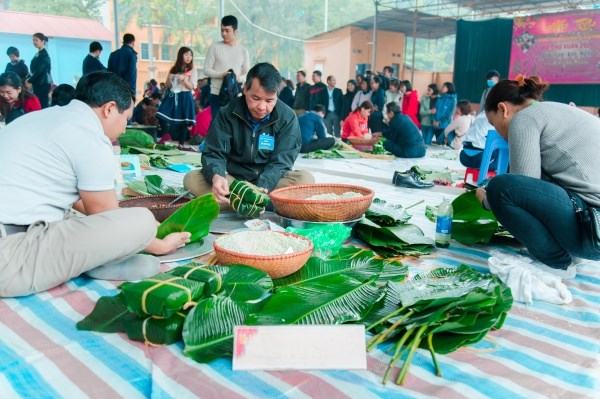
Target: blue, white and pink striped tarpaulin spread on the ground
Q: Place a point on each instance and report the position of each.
(542, 351)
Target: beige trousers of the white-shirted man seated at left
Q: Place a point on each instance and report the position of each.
(49, 254)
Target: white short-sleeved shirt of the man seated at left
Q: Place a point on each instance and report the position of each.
(46, 157)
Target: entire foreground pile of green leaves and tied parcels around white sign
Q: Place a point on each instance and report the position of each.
(200, 305)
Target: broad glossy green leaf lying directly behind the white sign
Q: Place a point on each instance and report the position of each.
(330, 300)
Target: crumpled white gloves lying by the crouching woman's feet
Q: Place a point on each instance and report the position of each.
(529, 279)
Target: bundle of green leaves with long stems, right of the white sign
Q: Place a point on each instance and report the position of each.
(440, 311)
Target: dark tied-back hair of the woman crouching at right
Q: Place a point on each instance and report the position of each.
(515, 91)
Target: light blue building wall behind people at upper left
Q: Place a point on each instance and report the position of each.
(66, 54)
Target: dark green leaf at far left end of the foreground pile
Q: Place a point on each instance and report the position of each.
(108, 315)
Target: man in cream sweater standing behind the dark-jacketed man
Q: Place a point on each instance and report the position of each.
(223, 56)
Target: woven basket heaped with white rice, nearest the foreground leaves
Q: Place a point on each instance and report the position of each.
(276, 266)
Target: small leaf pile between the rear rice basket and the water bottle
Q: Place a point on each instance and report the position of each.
(386, 230)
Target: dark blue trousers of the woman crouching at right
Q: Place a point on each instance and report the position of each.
(540, 215)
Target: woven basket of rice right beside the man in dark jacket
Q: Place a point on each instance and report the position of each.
(291, 202)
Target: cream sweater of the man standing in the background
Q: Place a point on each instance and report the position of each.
(221, 58)
